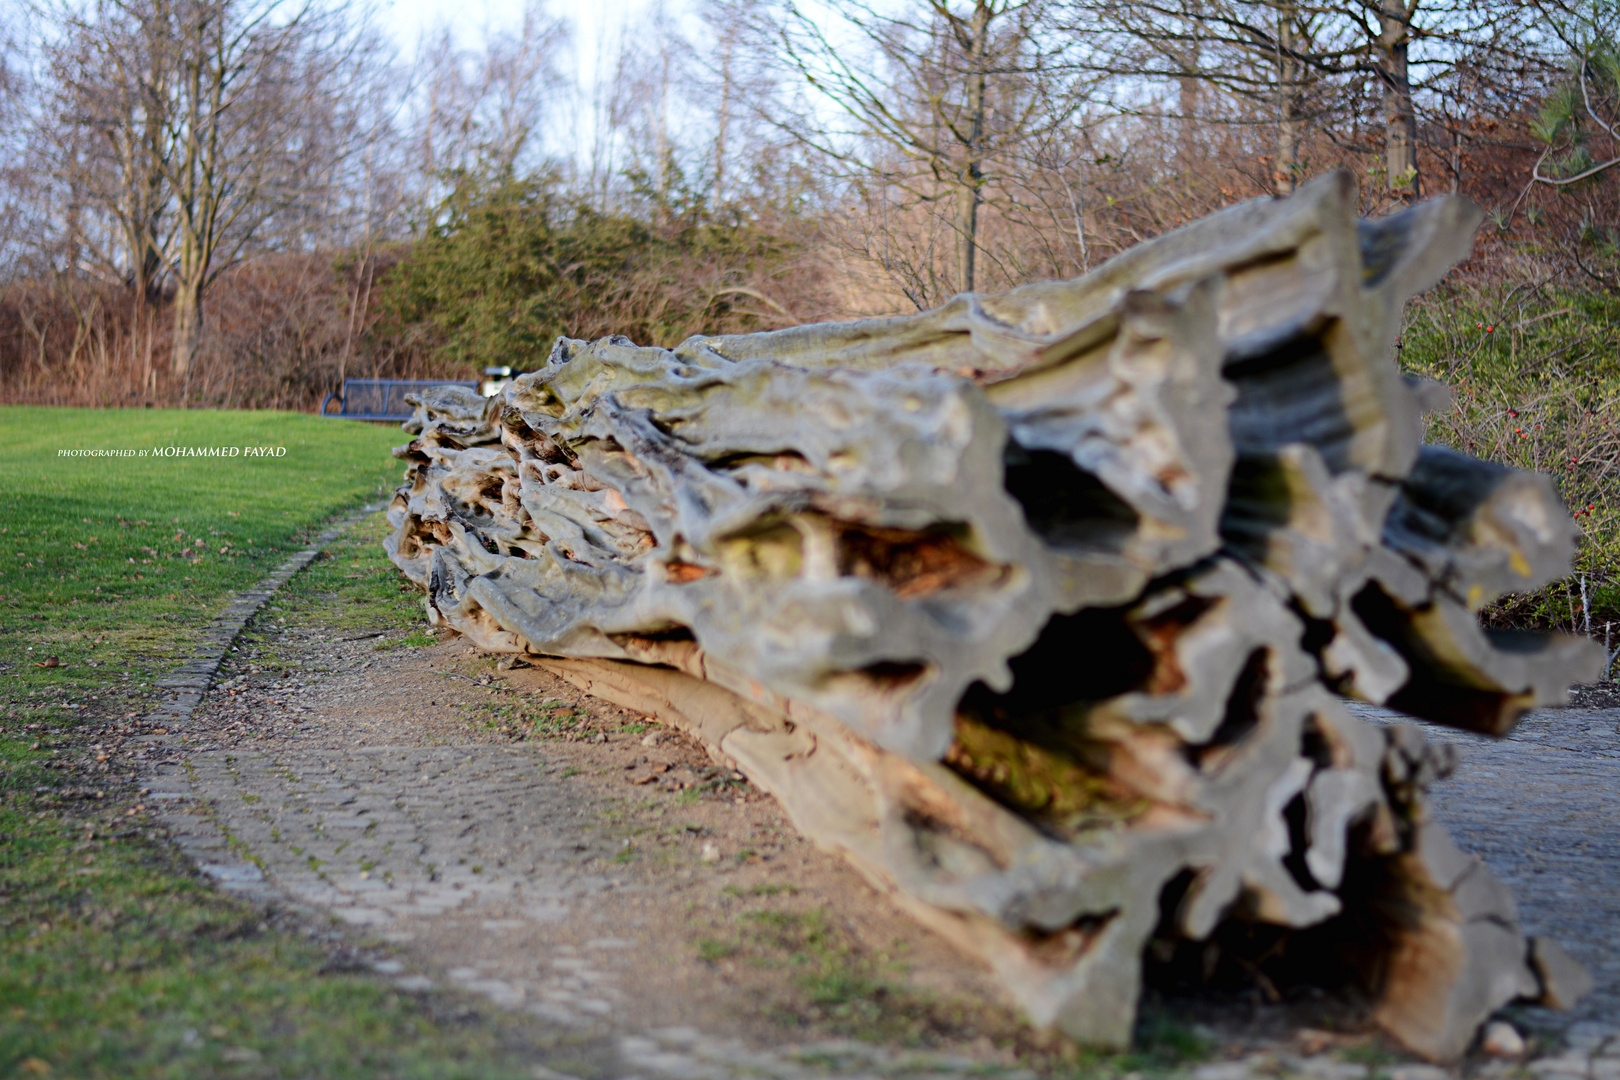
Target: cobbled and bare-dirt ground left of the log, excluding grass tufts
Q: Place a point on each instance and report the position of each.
(529, 874)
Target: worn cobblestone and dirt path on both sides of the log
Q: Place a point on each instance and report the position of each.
(497, 833)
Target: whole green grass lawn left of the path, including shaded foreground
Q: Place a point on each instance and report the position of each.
(114, 959)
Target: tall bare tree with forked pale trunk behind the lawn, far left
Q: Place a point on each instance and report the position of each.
(198, 127)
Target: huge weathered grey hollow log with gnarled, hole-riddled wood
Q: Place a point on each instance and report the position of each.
(1036, 606)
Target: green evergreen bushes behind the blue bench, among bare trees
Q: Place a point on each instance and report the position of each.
(509, 266)
